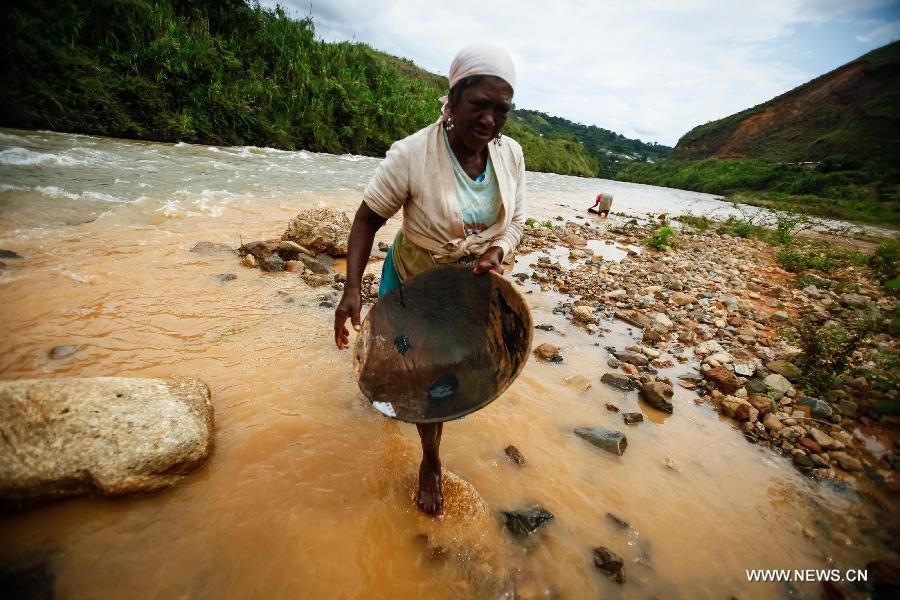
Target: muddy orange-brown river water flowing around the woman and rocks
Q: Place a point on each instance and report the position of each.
(308, 492)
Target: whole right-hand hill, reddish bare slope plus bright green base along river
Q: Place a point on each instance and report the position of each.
(830, 147)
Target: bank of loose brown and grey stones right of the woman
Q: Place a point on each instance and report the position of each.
(723, 305)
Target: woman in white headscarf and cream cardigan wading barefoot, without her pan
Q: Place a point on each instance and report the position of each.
(462, 189)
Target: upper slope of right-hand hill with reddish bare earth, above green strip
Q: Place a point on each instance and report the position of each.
(852, 111)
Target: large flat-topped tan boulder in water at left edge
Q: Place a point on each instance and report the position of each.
(113, 435)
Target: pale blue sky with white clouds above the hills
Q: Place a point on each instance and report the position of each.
(648, 69)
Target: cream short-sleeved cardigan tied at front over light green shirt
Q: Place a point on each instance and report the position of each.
(417, 175)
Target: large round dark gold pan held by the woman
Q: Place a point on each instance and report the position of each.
(447, 343)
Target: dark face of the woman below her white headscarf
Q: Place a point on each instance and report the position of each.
(480, 113)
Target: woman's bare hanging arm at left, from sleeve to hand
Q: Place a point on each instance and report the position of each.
(362, 234)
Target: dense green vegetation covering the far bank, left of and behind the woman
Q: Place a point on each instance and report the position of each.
(233, 73)
